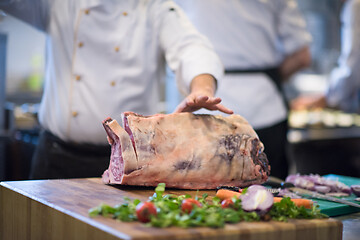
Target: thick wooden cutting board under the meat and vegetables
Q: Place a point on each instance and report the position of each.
(58, 209)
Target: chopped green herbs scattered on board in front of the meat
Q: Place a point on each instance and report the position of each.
(210, 214)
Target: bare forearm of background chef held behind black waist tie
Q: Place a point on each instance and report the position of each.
(294, 62)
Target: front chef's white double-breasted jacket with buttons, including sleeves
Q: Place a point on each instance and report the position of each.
(105, 57)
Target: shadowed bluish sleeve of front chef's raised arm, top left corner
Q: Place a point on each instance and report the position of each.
(34, 12)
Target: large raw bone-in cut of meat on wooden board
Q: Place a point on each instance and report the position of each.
(184, 150)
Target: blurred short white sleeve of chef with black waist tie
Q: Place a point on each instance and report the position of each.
(291, 26)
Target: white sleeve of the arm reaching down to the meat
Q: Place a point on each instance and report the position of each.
(187, 52)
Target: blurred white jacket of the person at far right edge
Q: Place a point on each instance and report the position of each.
(344, 84)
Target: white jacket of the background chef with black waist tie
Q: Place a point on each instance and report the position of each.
(250, 34)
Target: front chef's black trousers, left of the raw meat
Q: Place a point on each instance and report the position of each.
(54, 158)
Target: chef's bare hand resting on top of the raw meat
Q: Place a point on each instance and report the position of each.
(202, 96)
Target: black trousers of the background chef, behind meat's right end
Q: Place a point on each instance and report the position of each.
(275, 141)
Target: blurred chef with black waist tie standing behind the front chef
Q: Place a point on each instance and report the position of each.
(261, 44)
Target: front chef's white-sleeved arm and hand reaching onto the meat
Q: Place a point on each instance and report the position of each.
(192, 57)
